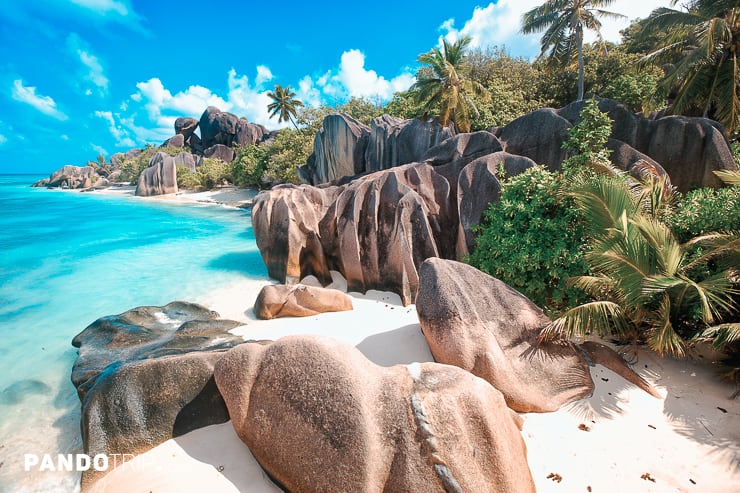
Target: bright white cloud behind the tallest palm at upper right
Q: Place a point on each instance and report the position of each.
(499, 24)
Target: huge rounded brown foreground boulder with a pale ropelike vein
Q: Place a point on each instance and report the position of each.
(320, 417)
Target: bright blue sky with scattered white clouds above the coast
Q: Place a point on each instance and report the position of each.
(80, 78)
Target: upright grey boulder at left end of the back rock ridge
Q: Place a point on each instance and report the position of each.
(339, 149)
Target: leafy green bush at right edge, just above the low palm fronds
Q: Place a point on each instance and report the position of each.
(707, 210)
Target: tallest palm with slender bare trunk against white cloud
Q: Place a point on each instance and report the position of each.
(564, 22)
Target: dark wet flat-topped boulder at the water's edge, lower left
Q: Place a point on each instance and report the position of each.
(146, 375)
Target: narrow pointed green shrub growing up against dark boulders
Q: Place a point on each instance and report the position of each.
(588, 138)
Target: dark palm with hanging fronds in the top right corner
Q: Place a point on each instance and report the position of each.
(705, 39)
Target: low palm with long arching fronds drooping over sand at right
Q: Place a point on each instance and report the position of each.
(644, 281)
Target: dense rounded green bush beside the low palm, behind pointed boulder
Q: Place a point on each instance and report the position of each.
(532, 239)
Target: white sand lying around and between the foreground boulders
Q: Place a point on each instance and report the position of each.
(619, 440)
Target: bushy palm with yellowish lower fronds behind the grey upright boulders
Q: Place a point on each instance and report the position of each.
(444, 86)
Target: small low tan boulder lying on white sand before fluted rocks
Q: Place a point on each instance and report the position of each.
(280, 300)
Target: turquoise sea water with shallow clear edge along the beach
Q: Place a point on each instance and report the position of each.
(67, 258)
